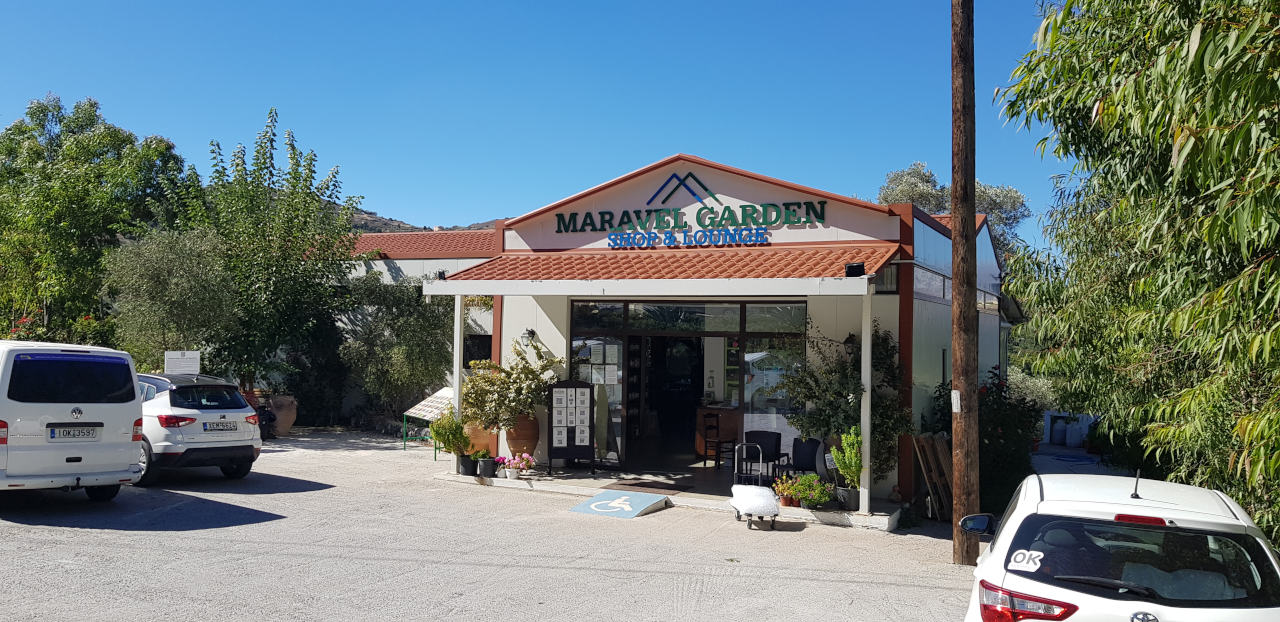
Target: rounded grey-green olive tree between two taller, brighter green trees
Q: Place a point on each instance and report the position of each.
(171, 291)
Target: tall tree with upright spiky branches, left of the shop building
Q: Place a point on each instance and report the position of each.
(287, 243)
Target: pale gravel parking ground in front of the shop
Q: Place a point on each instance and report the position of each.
(342, 527)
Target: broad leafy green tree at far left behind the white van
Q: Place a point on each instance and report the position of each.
(71, 187)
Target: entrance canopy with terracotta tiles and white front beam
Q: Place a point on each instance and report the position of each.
(806, 271)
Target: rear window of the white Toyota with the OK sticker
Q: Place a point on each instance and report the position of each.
(1176, 566)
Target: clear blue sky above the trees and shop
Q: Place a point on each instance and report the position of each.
(452, 113)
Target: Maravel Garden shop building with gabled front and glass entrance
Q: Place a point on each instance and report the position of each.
(688, 287)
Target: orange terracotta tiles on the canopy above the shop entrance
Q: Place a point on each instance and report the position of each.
(756, 263)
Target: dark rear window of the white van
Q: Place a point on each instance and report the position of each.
(70, 378)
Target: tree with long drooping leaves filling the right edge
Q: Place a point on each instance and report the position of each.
(1156, 305)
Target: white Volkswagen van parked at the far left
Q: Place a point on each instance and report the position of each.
(70, 418)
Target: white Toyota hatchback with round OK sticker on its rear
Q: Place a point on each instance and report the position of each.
(1092, 548)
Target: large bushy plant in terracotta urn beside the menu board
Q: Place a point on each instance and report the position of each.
(508, 399)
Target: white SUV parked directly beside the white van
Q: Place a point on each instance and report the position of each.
(194, 422)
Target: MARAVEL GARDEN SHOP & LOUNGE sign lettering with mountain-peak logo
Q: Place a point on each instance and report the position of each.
(717, 226)
